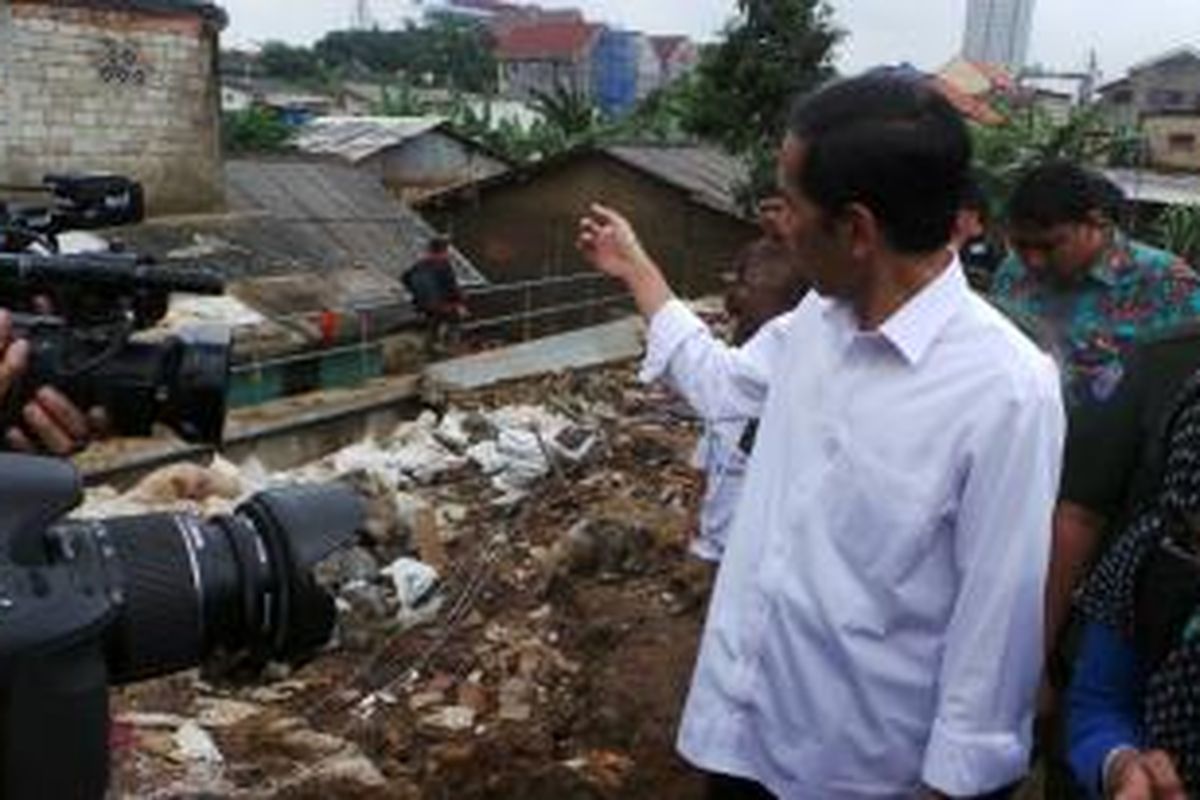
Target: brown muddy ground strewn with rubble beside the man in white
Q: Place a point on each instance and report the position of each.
(556, 667)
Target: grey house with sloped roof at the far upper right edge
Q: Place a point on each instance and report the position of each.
(1169, 83)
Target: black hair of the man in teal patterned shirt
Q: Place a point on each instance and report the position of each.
(1060, 193)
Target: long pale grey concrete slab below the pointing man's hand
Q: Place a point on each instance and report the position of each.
(591, 347)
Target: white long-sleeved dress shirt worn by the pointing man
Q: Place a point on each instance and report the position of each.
(877, 623)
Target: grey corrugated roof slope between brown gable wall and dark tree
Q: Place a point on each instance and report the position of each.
(711, 176)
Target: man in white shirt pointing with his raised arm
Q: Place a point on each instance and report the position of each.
(877, 625)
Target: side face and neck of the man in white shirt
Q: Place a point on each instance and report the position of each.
(820, 244)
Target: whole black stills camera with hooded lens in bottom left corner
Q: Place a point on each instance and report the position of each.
(91, 604)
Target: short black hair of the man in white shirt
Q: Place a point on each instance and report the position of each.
(890, 141)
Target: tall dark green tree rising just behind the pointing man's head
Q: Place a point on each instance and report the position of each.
(772, 52)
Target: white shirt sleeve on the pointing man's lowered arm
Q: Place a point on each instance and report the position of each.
(993, 658)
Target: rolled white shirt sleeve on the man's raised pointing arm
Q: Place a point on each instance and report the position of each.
(719, 382)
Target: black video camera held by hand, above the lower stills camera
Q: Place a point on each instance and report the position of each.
(81, 312)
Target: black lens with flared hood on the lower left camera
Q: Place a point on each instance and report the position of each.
(239, 585)
